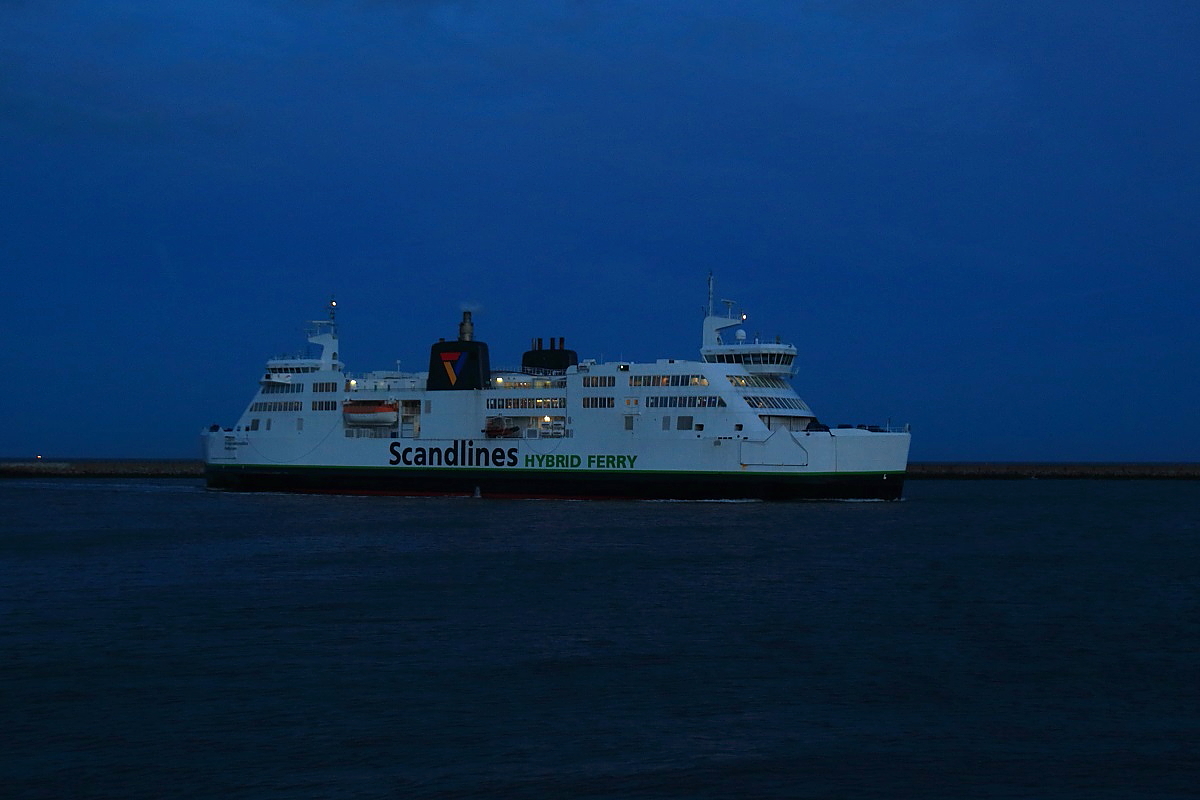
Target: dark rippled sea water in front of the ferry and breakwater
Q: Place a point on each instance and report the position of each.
(979, 640)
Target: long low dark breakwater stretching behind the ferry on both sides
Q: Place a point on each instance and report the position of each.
(919, 471)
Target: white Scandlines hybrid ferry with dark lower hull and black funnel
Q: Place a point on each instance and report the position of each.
(729, 426)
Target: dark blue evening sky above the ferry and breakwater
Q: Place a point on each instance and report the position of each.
(980, 219)
